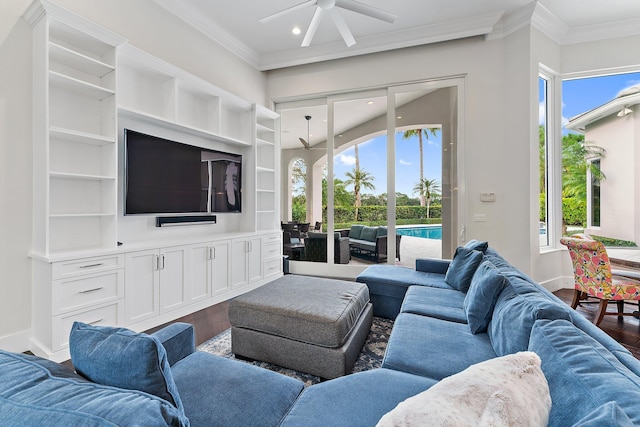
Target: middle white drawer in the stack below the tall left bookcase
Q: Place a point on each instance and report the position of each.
(81, 292)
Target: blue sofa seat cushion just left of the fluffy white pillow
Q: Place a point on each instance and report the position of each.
(358, 399)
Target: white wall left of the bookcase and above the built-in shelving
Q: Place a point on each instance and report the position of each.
(147, 26)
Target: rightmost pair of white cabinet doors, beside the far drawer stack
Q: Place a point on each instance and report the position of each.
(246, 261)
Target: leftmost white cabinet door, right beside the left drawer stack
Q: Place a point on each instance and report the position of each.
(142, 285)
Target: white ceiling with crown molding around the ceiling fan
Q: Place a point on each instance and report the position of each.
(235, 25)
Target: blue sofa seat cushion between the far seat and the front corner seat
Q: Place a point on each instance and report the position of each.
(417, 345)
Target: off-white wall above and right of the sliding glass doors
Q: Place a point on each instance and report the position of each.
(496, 155)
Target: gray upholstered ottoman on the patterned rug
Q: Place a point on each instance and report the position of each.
(309, 324)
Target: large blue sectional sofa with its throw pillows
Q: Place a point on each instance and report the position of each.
(453, 316)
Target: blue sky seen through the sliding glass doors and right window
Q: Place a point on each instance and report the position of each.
(578, 96)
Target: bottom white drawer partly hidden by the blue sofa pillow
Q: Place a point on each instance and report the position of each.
(108, 315)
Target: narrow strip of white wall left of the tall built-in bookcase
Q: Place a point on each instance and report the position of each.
(15, 186)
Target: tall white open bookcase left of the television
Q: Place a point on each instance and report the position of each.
(75, 153)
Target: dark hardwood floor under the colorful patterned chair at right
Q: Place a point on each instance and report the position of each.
(625, 330)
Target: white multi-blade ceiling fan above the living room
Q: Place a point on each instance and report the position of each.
(329, 7)
